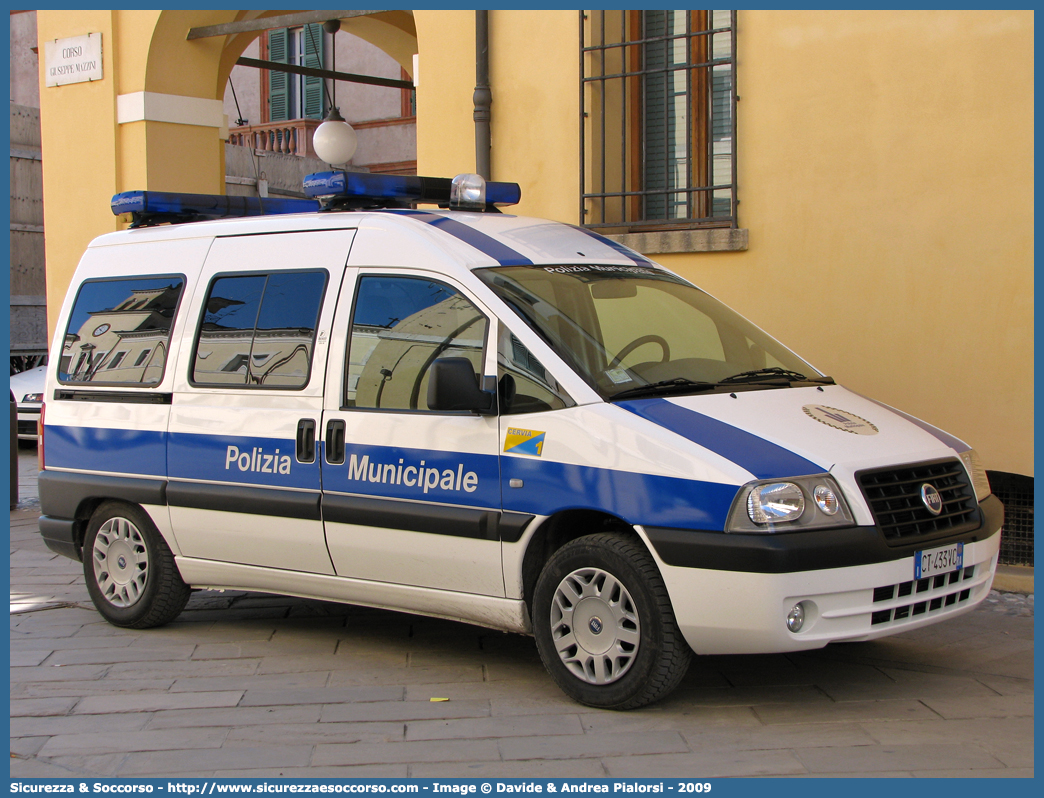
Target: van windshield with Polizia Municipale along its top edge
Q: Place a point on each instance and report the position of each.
(632, 332)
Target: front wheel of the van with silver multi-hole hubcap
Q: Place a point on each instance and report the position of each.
(604, 624)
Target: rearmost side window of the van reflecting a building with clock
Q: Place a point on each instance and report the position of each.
(120, 332)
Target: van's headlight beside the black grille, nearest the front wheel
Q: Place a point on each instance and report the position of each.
(793, 505)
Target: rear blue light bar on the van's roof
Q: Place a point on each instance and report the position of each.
(165, 206)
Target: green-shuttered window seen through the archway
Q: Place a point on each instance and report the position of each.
(296, 97)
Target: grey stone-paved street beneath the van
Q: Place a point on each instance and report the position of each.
(250, 685)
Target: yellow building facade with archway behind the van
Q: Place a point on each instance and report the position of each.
(885, 176)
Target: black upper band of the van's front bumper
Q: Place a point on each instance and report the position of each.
(789, 553)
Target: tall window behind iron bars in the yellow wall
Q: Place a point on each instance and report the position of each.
(658, 122)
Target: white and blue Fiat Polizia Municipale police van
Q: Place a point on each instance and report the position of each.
(457, 412)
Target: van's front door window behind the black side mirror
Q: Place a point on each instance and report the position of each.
(400, 327)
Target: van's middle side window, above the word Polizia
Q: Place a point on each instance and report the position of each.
(258, 331)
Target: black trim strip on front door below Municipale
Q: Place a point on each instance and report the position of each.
(390, 514)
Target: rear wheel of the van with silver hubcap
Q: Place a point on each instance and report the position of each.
(130, 571)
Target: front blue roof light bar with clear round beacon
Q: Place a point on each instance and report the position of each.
(364, 189)
